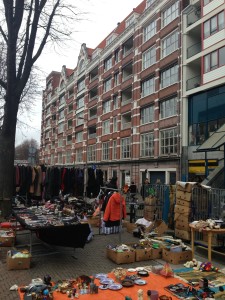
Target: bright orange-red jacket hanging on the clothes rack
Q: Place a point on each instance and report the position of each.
(112, 211)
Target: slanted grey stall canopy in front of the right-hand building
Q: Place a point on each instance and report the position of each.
(213, 143)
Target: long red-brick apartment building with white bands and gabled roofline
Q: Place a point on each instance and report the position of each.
(120, 109)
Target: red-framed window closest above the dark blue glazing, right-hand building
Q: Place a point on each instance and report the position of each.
(214, 60)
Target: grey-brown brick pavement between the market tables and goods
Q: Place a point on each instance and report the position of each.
(67, 264)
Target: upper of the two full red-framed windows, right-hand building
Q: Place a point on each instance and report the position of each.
(214, 25)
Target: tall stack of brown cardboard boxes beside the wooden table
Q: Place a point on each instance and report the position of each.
(182, 210)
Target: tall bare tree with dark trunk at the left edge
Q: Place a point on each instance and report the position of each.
(25, 28)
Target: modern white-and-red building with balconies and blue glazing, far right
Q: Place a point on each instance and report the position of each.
(203, 84)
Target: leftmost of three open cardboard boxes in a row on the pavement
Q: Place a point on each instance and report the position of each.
(125, 257)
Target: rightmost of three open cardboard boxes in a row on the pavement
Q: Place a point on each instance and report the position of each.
(176, 257)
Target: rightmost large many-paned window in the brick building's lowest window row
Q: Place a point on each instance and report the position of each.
(168, 141)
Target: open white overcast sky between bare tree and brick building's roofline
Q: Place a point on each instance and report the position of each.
(102, 17)
